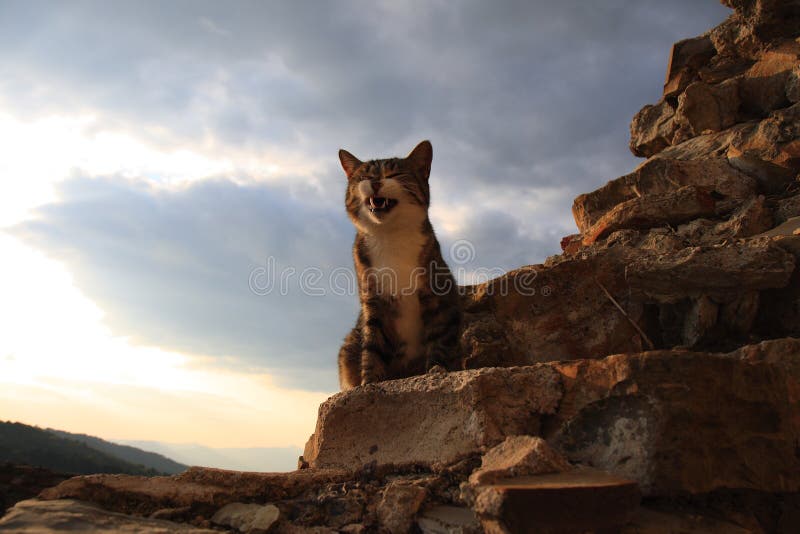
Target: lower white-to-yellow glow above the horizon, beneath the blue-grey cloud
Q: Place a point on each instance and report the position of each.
(61, 367)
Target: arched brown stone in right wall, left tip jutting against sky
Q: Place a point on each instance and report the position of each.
(659, 176)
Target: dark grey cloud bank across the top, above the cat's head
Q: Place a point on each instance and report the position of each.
(498, 86)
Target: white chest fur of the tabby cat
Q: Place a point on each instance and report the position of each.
(395, 260)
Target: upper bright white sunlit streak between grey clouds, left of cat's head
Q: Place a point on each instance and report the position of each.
(39, 154)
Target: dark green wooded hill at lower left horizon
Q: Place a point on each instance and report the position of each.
(29, 445)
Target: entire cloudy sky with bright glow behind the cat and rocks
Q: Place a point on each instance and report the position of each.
(174, 247)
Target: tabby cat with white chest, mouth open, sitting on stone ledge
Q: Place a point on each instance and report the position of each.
(410, 320)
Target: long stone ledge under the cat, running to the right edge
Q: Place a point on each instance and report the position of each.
(674, 421)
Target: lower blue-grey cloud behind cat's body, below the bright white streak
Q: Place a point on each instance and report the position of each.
(256, 273)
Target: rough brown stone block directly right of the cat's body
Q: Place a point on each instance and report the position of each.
(533, 313)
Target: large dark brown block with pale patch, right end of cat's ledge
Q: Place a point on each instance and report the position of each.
(686, 422)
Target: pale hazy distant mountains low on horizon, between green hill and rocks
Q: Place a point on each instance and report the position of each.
(262, 459)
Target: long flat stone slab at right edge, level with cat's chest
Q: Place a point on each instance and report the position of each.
(694, 271)
